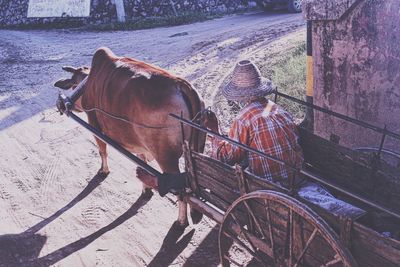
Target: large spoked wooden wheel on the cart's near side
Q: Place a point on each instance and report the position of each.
(267, 228)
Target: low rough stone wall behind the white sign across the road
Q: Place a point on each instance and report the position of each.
(14, 12)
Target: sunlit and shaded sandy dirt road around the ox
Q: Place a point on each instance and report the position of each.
(54, 210)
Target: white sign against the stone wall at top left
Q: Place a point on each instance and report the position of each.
(58, 8)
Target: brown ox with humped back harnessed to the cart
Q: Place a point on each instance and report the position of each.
(129, 101)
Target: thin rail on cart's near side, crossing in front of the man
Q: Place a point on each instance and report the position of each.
(249, 149)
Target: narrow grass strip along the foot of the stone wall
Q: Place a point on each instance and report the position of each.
(153, 22)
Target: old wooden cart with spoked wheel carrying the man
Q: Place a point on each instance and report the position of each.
(264, 223)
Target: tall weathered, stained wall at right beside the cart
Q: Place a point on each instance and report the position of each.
(356, 52)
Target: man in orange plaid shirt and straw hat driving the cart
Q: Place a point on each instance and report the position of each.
(261, 125)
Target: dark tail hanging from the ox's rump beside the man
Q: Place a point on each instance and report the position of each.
(196, 105)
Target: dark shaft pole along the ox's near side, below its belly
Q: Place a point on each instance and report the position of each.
(114, 144)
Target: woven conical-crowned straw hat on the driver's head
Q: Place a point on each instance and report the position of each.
(246, 83)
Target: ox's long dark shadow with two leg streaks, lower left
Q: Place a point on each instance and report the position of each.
(24, 249)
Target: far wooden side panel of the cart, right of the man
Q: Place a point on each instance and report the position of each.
(351, 170)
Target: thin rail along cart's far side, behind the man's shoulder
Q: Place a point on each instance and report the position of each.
(341, 116)
